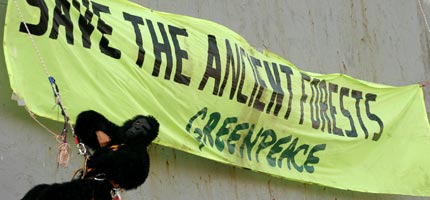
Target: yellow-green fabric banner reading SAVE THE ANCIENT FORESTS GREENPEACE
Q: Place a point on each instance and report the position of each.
(216, 96)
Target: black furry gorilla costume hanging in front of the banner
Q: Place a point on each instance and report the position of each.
(124, 162)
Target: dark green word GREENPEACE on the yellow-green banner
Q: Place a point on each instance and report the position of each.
(241, 138)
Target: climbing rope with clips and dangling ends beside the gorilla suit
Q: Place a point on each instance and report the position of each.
(64, 147)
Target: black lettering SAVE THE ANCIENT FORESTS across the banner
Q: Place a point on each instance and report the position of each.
(260, 84)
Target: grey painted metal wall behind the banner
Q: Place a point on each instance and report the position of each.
(374, 40)
